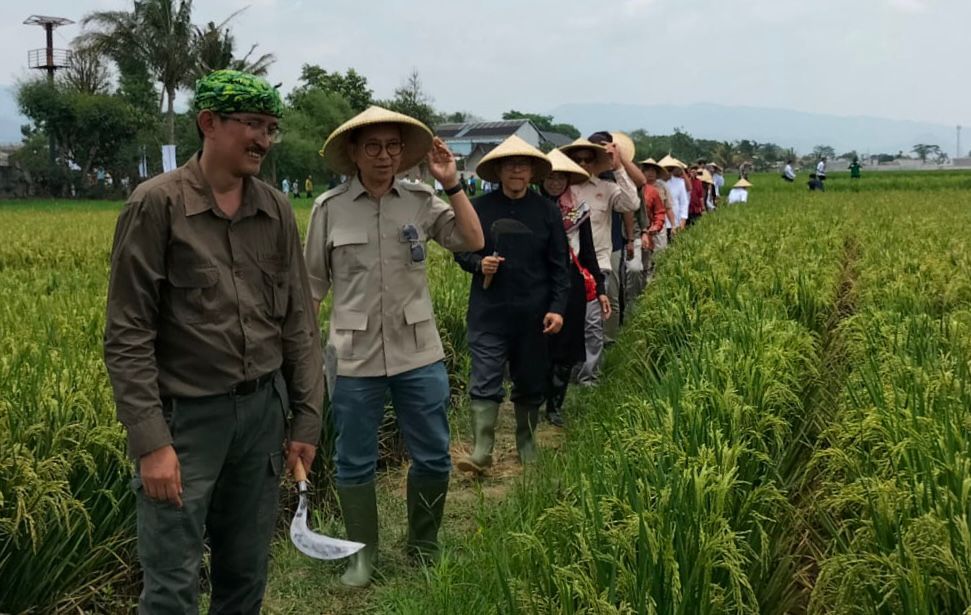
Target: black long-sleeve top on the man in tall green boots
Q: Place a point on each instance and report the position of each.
(534, 278)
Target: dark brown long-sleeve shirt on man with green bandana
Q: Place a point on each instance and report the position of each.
(198, 303)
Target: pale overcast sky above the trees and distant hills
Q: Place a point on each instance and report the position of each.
(901, 59)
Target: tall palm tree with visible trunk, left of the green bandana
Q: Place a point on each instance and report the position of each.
(160, 32)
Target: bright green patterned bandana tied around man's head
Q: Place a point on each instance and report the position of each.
(232, 91)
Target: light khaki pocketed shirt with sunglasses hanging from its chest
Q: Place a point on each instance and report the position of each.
(381, 320)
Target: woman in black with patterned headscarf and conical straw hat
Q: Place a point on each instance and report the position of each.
(587, 297)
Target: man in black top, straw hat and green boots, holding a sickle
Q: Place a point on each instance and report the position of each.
(518, 296)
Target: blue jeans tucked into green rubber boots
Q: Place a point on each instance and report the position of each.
(420, 399)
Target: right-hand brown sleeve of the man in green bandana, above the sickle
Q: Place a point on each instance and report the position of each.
(303, 367)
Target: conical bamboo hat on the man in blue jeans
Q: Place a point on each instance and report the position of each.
(417, 139)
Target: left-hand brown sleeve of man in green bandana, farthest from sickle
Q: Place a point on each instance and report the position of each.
(137, 270)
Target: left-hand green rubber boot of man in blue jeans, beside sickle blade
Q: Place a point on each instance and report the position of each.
(359, 507)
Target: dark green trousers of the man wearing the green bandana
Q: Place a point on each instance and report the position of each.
(230, 450)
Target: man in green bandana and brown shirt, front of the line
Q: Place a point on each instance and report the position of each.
(213, 353)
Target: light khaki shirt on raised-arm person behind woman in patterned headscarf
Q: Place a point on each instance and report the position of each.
(605, 197)
